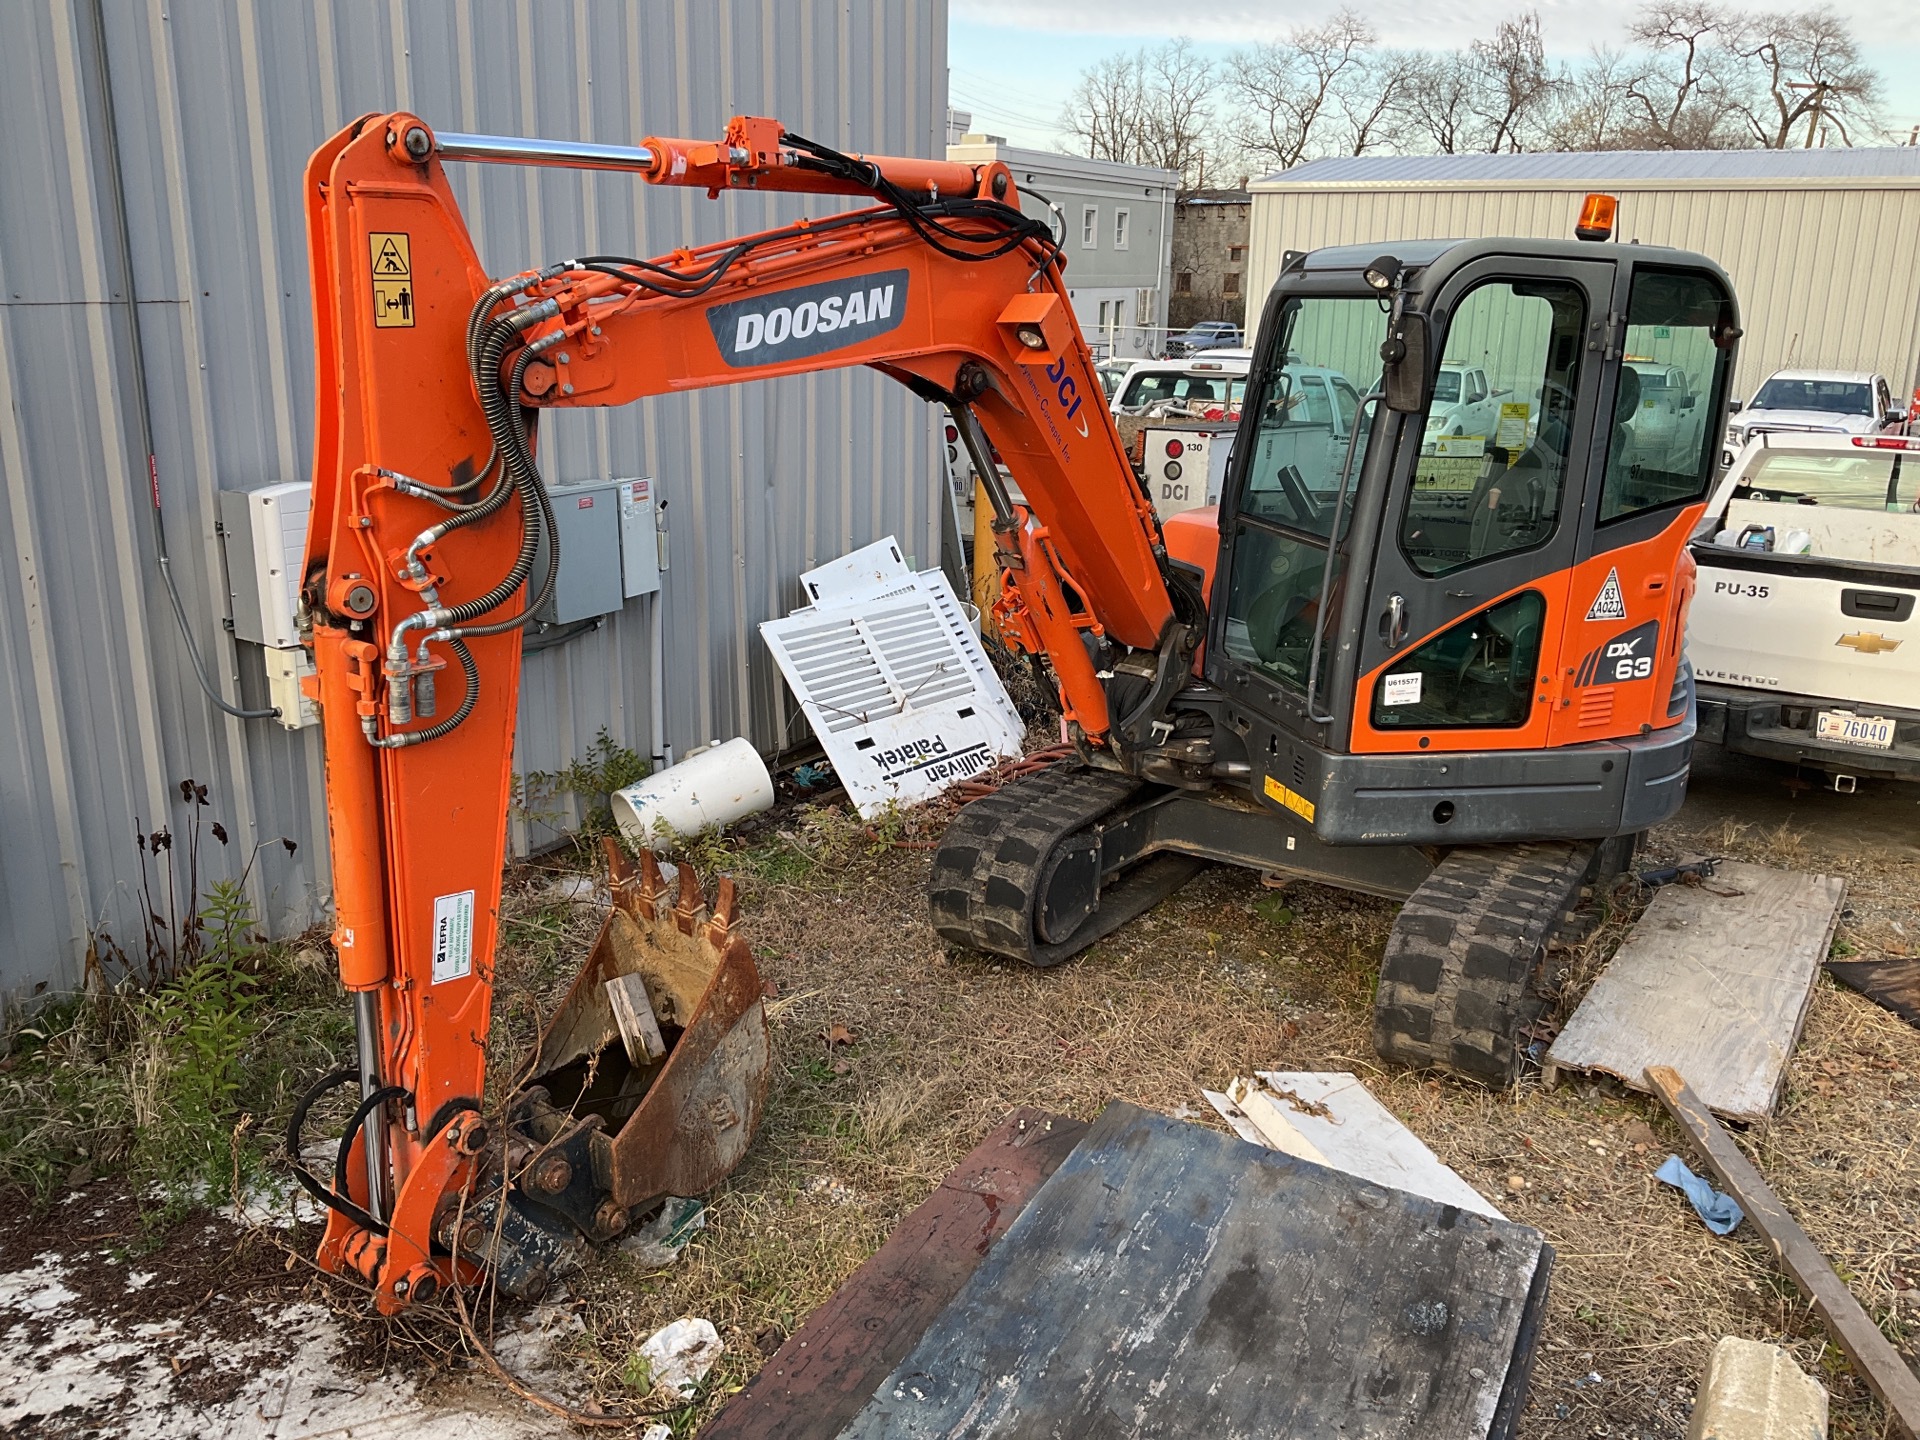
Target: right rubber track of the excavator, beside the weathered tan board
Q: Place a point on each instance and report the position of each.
(1458, 982)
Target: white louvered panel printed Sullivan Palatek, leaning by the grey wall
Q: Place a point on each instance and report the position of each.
(898, 688)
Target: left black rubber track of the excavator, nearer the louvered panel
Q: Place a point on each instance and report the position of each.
(992, 859)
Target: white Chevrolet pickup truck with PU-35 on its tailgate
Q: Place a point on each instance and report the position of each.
(1802, 635)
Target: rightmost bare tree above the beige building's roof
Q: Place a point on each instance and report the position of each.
(1802, 66)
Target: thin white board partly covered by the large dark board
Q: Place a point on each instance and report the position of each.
(1351, 1130)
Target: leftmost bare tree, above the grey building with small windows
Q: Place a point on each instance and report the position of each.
(1147, 108)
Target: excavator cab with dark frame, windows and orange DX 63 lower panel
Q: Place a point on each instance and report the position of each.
(1456, 617)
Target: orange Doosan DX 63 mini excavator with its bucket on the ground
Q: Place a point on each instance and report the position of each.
(1428, 646)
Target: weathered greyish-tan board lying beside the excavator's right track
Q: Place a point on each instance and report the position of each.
(1716, 978)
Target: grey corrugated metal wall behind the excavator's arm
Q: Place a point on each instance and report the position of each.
(218, 108)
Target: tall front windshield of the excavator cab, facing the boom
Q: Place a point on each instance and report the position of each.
(1303, 425)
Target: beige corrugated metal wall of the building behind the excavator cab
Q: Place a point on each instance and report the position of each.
(1829, 276)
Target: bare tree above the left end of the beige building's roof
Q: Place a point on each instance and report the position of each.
(1285, 91)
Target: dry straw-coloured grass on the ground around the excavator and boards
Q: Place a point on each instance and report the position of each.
(1218, 982)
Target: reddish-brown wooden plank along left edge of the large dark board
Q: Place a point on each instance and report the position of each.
(827, 1370)
